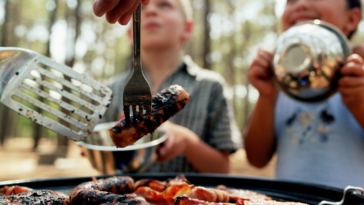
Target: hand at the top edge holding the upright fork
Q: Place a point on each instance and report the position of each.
(117, 10)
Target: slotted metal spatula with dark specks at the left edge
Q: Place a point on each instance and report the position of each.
(71, 104)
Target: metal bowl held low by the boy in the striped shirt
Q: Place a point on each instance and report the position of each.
(108, 159)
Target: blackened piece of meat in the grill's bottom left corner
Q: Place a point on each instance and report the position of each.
(35, 197)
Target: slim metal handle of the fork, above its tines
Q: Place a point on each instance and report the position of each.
(136, 38)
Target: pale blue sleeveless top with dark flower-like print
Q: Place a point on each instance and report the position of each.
(319, 143)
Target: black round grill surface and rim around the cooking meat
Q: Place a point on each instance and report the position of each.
(278, 190)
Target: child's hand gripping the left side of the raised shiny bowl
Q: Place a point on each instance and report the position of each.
(260, 74)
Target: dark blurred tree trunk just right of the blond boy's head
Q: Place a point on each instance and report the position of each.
(207, 39)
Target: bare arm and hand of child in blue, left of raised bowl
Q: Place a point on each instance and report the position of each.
(259, 134)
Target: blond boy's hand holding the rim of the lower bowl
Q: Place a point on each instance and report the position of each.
(177, 141)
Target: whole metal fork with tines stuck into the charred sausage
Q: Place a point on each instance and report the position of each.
(137, 90)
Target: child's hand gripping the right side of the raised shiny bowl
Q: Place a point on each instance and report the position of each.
(351, 85)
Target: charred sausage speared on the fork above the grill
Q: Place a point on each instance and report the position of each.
(165, 104)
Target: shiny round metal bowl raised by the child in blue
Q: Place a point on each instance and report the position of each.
(307, 59)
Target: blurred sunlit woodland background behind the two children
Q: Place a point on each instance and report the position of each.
(226, 38)
